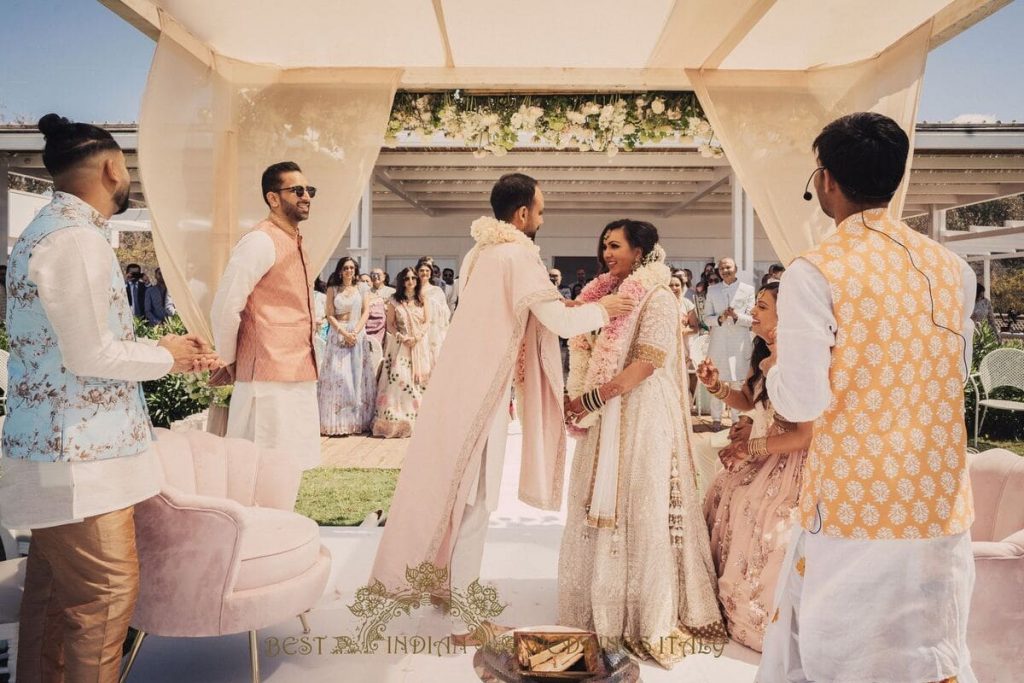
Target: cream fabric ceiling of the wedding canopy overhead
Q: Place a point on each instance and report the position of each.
(532, 46)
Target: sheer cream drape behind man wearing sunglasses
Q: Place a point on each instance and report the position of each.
(210, 125)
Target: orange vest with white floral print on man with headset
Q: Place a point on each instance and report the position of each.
(889, 455)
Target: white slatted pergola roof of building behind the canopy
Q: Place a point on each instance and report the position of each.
(954, 166)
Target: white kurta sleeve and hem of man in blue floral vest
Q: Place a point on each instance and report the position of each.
(72, 271)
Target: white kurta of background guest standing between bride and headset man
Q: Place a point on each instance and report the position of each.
(731, 344)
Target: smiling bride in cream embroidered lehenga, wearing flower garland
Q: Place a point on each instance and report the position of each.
(635, 564)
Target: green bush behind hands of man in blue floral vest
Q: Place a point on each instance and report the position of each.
(175, 398)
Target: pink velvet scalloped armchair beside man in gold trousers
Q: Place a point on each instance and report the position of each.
(221, 550)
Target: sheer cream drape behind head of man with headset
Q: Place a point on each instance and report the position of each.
(767, 120)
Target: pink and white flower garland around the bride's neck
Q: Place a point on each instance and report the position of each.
(595, 362)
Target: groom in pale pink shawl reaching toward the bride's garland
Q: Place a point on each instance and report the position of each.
(505, 334)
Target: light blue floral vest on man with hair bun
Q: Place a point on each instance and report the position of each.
(54, 415)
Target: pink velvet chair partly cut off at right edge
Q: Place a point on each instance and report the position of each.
(996, 628)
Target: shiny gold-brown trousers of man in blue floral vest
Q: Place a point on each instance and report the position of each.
(80, 589)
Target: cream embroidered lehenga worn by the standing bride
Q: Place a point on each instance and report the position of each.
(643, 581)
